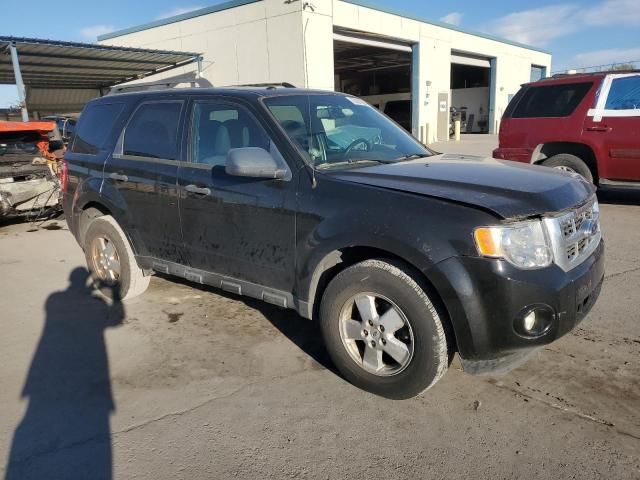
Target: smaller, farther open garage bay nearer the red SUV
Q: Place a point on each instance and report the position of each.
(471, 92)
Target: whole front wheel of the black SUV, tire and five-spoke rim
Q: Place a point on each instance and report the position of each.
(382, 330)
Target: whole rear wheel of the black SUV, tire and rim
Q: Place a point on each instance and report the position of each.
(114, 270)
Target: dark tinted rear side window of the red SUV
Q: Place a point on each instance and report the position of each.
(551, 100)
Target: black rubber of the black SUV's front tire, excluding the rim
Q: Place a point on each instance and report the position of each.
(390, 280)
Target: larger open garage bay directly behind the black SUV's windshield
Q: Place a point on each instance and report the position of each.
(378, 71)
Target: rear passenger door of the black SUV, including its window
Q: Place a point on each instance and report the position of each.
(142, 176)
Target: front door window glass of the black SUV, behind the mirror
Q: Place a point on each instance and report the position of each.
(217, 128)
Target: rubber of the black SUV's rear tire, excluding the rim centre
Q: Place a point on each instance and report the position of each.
(131, 280)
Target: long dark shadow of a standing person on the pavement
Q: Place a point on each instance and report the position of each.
(65, 432)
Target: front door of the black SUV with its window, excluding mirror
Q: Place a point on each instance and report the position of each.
(239, 227)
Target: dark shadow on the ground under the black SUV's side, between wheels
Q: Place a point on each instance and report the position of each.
(303, 333)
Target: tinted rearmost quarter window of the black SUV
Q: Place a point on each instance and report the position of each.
(94, 127)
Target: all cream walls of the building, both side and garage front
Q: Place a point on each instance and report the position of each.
(276, 41)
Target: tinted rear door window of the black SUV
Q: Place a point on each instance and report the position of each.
(153, 131)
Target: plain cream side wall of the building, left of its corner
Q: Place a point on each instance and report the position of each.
(253, 43)
